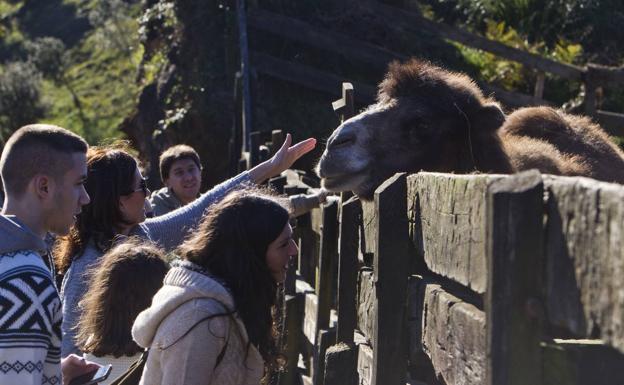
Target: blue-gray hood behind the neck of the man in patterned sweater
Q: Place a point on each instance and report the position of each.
(15, 236)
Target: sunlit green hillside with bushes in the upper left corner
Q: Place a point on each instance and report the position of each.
(87, 85)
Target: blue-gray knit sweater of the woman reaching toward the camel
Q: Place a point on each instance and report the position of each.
(167, 231)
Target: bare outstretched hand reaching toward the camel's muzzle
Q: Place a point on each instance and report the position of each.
(282, 160)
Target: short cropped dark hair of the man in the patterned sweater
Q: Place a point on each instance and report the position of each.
(35, 149)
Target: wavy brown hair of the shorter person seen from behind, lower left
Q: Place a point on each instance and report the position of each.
(121, 287)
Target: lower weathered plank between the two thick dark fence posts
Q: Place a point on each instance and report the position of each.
(451, 332)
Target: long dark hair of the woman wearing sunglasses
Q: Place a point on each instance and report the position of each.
(110, 173)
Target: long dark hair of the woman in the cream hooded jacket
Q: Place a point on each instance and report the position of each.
(231, 243)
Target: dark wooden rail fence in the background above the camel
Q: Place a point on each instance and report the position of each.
(401, 22)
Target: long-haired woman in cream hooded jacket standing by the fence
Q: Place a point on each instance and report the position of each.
(214, 321)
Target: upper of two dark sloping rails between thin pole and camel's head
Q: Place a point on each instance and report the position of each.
(300, 31)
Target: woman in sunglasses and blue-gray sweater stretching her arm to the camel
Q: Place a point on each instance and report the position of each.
(117, 209)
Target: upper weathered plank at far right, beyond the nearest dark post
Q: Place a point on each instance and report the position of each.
(585, 258)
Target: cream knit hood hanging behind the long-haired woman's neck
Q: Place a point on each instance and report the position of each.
(181, 287)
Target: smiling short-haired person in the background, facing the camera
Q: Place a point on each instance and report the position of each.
(180, 172)
